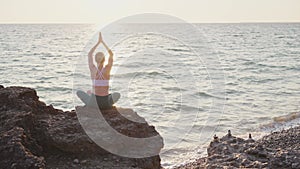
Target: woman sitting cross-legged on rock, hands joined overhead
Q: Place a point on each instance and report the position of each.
(100, 76)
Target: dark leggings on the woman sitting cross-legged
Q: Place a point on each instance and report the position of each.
(103, 102)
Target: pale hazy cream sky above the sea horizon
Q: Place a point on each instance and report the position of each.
(104, 11)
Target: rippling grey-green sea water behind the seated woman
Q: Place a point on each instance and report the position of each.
(189, 86)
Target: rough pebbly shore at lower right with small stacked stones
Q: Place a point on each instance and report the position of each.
(277, 150)
